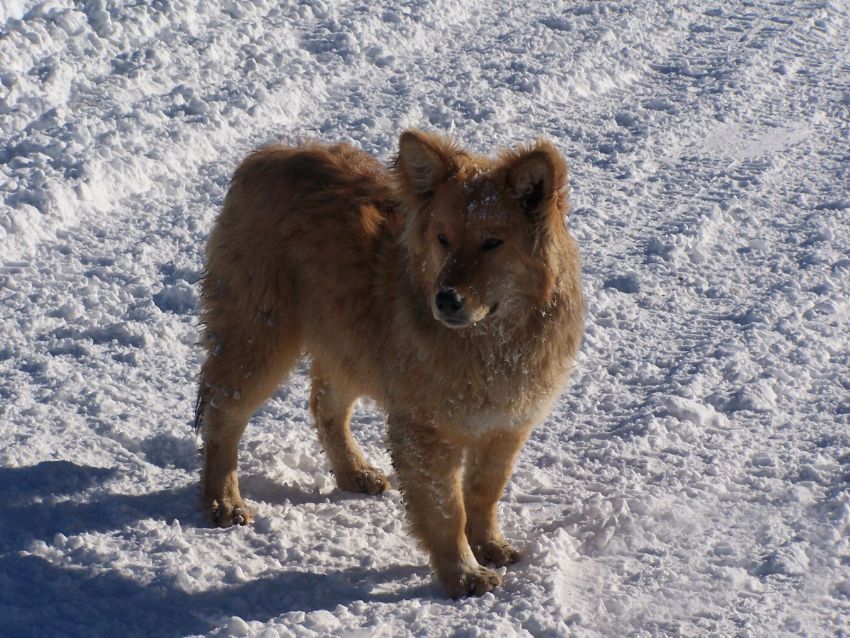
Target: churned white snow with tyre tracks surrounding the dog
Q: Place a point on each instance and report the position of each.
(694, 478)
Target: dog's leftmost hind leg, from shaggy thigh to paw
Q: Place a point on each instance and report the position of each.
(235, 380)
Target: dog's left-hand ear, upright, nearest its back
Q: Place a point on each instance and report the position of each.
(424, 161)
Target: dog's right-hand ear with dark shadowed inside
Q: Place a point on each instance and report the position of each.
(537, 177)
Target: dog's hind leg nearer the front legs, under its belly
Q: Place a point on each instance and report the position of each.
(331, 404)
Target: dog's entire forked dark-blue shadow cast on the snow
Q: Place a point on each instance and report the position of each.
(44, 598)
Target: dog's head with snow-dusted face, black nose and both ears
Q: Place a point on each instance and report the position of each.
(483, 234)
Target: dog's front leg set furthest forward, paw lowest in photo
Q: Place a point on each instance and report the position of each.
(429, 470)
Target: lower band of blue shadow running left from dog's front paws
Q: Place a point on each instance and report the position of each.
(45, 599)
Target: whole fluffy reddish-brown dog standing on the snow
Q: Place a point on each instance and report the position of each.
(446, 288)
